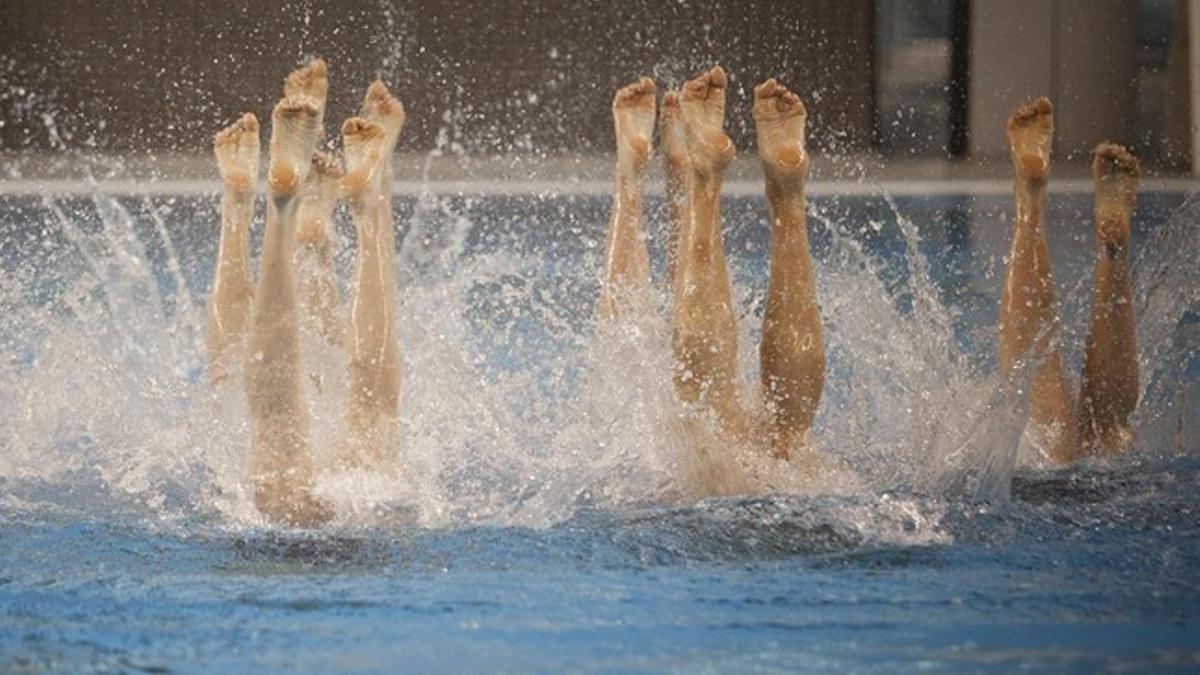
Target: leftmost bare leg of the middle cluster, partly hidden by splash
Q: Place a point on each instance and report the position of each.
(628, 262)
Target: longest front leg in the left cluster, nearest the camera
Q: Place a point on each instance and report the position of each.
(280, 461)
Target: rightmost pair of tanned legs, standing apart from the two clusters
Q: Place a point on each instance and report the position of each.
(1029, 321)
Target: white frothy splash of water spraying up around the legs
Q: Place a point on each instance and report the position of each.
(515, 410)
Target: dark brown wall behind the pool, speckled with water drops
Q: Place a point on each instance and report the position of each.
(512, 76)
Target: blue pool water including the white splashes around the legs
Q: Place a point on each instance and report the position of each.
(535, 523)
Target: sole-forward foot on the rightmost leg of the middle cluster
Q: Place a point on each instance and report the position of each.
(779, 120)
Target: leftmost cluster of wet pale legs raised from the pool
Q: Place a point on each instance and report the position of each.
(261, 325)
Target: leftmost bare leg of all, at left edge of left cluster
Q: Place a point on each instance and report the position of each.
(237, 151)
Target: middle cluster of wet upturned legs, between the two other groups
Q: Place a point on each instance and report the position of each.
(704, 324)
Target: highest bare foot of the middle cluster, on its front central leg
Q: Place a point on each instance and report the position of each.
(704, 118)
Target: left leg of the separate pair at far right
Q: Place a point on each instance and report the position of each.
(1029, 319)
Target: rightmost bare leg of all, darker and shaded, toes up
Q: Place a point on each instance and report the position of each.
(1109, 390)
